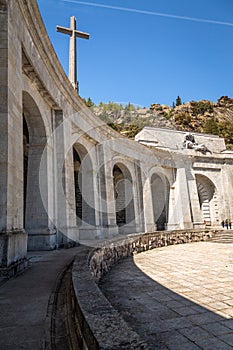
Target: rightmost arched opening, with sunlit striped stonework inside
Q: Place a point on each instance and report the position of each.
(207, 199)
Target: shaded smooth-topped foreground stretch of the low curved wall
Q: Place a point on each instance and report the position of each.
(99, 325)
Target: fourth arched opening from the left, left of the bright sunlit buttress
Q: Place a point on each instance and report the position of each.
(160, 199)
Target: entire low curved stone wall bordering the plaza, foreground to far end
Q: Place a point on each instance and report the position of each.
(98, 324)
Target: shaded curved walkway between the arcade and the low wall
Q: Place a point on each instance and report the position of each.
(24, 300)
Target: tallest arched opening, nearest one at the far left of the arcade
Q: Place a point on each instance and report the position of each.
(36, 221)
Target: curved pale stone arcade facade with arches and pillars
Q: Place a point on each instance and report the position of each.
(66, 176)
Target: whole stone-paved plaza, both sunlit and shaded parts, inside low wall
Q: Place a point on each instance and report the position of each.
(177, 297)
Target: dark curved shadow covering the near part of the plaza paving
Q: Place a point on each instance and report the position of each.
(163, 318)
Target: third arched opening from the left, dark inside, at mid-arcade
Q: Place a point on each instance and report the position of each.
(124, 203)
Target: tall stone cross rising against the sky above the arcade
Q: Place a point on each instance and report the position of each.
(73, 33)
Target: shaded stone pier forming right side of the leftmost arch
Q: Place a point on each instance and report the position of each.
(38, 210)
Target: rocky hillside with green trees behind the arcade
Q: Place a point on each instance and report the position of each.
(202, 116)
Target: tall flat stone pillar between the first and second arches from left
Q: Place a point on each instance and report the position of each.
(64, 194)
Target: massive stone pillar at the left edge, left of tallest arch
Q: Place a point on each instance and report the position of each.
(13, 239)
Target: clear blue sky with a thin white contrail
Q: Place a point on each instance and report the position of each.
(147, 51)
